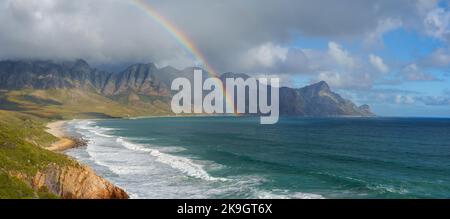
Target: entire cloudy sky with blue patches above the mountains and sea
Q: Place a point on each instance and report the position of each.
(392, 55)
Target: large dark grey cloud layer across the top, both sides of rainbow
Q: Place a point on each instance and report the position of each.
(112, 31)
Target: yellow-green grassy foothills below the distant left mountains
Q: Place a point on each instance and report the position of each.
(76, 103)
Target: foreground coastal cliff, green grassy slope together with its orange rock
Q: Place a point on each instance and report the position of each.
(29, 169)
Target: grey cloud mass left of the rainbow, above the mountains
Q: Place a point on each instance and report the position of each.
(99, 31)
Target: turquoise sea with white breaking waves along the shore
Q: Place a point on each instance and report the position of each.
(229, 157)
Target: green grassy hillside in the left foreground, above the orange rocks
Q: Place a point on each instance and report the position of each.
(21, 154)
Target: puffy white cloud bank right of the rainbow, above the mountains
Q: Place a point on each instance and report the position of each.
(336, 65)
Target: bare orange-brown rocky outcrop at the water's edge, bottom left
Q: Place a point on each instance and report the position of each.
(76, 182)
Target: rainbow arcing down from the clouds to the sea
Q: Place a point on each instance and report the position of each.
(184, 41)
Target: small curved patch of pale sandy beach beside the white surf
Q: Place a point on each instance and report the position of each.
(65, 142)
